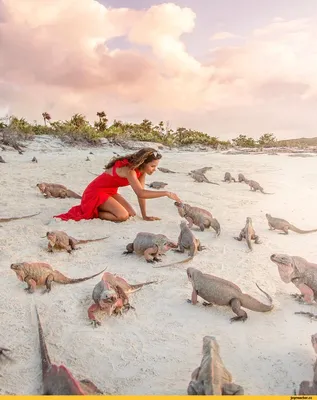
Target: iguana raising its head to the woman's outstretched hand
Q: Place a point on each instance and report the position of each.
(198, 216)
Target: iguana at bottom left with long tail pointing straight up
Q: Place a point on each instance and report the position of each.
(57, 379)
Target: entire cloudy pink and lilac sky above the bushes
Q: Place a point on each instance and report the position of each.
(224, 67)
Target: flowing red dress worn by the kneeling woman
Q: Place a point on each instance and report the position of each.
(96, 193)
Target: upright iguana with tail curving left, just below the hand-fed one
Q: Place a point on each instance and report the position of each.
(186, 241)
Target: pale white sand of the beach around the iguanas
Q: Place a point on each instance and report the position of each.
(155, 349)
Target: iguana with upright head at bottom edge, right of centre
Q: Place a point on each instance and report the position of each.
(212, 377)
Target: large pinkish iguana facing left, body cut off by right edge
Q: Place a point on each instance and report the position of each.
(302, 273)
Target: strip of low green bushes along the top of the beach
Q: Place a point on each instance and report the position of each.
(78, 130)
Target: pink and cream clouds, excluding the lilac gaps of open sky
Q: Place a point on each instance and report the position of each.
(54, 57)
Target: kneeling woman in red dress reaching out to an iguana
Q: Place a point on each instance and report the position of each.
(101, 198)
